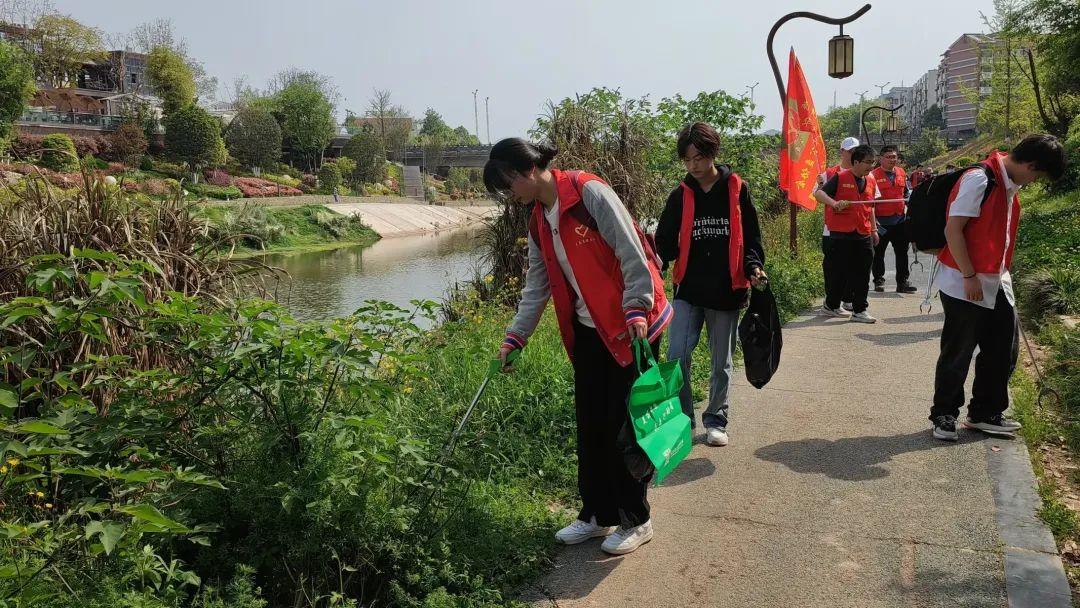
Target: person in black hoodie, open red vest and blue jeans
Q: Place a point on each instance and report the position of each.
(709, 228)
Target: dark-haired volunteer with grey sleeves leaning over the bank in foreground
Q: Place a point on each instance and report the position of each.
(590, 258)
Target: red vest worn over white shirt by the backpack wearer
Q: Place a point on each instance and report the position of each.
(987, 234)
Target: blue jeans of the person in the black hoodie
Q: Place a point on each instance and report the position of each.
(683, 336)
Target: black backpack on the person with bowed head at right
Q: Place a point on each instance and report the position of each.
(928, 208)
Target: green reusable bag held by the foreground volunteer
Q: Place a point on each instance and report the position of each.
(661, 429)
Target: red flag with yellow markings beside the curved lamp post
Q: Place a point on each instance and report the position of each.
(803, 156)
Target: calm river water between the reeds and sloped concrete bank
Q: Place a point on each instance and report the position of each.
(335, 283)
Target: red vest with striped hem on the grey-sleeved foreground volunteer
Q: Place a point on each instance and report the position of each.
(598, 273)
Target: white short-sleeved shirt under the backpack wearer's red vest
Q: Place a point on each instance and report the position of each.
(968, 204)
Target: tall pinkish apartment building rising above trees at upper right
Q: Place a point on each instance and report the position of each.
(964, 77)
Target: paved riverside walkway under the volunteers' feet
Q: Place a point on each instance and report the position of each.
(834, 494)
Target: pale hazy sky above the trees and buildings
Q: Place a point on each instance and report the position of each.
(434, 53)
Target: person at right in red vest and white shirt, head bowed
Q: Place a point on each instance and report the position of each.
(983, 215)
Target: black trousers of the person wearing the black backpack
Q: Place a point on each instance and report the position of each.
(997, 335)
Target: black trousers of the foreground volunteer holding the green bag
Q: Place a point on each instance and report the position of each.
(609, 491)
